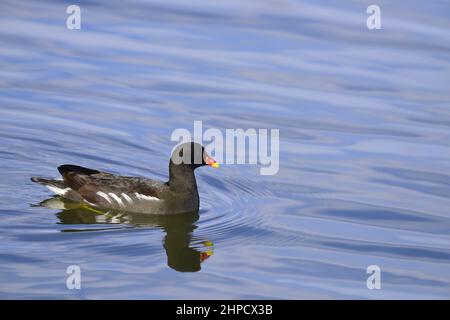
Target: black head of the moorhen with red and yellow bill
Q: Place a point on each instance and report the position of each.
(192, 154)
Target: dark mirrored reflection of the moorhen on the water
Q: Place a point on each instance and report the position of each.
(184, 253)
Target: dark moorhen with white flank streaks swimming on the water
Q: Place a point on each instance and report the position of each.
(135, 194)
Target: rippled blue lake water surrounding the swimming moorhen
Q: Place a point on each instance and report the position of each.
(364, 123)
